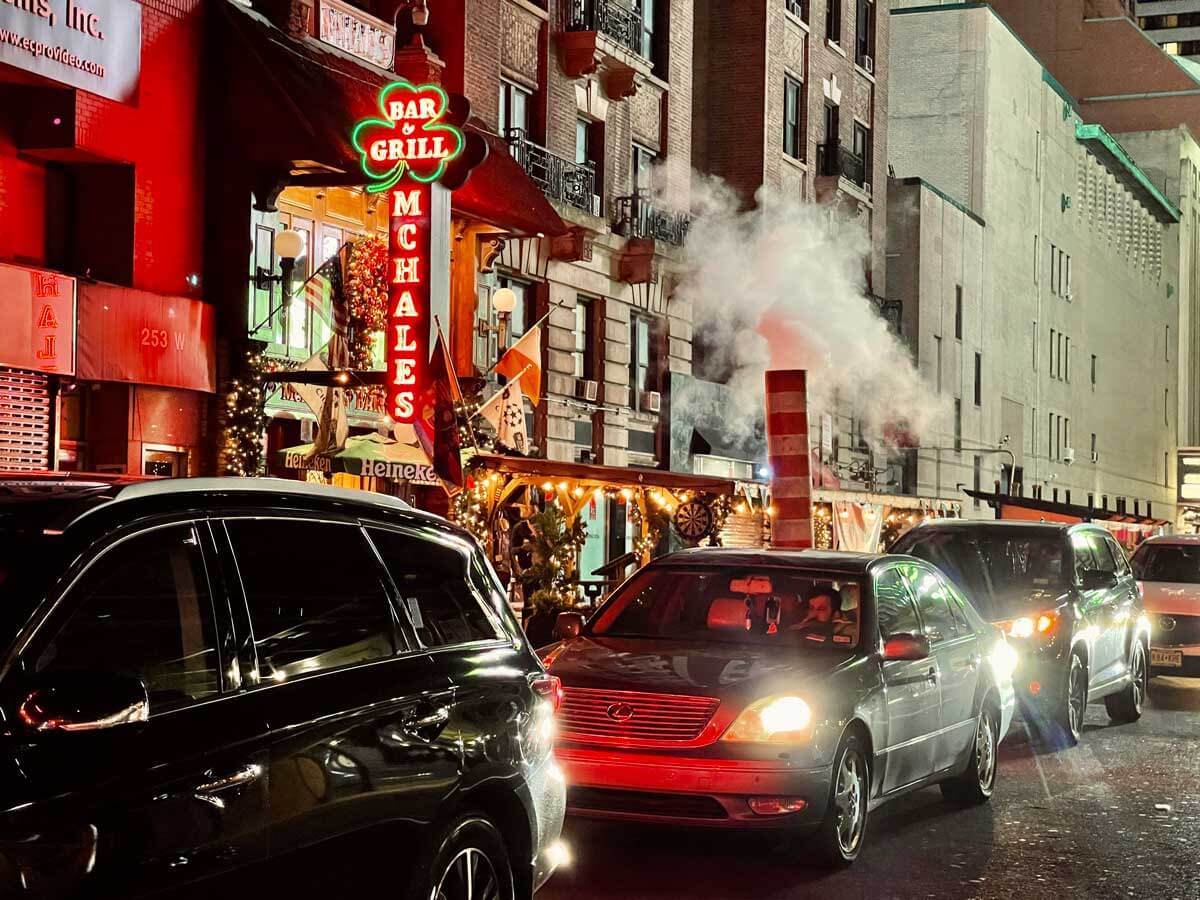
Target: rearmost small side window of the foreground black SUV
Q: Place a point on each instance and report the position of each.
(431, 579)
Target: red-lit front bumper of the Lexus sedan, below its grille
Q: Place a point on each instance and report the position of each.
(698, 791)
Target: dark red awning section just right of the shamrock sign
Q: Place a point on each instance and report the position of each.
(501, 194)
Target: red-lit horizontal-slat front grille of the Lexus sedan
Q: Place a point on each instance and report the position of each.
(633, 718)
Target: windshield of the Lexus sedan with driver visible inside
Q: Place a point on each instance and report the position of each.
(758, 607)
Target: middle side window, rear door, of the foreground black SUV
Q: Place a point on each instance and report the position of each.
(319, 605)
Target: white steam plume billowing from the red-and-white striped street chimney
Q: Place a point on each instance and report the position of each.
(782, 286)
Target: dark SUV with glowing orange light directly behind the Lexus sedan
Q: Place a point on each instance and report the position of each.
(1069, 602)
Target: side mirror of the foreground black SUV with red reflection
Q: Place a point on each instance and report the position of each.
(86, 703)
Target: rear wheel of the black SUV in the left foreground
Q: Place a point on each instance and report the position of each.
(469, 860)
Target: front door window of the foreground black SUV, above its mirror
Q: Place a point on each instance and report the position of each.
(145, 609)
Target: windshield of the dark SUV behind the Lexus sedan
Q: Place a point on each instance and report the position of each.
(1005, 572)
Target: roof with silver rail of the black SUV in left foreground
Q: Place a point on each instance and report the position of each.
(62, 503)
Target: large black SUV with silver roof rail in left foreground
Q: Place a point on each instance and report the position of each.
(215, 683)
